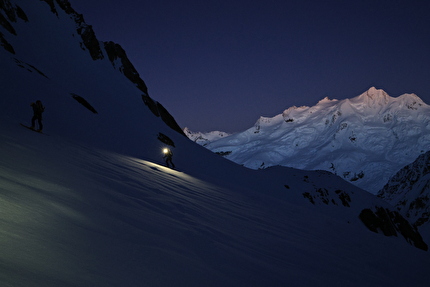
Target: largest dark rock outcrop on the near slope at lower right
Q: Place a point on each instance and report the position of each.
(390, 223)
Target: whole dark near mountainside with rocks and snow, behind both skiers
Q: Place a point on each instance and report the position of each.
(90, 203)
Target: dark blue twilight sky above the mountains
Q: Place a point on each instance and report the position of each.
(220, 65)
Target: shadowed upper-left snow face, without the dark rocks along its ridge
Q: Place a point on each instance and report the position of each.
(52, 64)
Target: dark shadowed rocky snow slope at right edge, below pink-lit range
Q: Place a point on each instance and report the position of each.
(409, 191)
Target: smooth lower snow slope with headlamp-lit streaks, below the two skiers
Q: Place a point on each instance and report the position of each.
(74, 215)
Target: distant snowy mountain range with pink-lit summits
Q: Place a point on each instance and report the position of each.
(365, 140)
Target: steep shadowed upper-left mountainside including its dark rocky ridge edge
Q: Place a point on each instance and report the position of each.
(52, 62)
